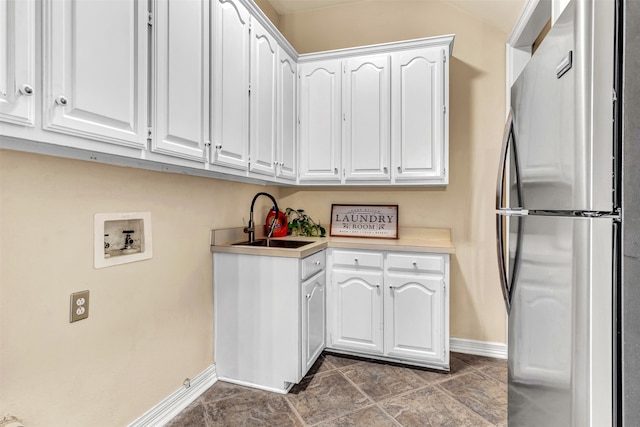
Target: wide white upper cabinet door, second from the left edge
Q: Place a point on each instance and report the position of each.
(95, 69)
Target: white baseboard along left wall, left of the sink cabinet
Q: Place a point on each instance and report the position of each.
(177, 401)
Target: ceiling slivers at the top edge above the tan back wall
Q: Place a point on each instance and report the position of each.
(501, 14)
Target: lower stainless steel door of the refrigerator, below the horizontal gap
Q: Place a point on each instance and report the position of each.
(560, 323)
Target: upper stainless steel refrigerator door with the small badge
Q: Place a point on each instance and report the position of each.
(563, 116)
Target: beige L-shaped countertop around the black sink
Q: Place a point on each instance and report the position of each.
(428, 240)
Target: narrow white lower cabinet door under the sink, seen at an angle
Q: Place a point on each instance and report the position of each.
(313, 320)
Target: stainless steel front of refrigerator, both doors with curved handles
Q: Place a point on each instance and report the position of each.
(559, 219)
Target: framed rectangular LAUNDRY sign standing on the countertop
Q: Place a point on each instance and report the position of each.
(379, 221)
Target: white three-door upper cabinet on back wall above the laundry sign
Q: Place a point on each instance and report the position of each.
(393, 111)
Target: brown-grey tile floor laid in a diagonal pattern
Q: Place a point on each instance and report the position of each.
(341, 392)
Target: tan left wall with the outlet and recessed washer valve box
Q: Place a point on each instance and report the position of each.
(151, 322)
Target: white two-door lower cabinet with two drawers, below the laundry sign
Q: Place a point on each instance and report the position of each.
(389, 305)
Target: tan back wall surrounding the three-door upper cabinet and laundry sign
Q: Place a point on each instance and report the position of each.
(477, 111)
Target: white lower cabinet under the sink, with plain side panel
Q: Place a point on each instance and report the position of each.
(268, 332)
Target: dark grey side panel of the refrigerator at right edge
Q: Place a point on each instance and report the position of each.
(627, 348)
